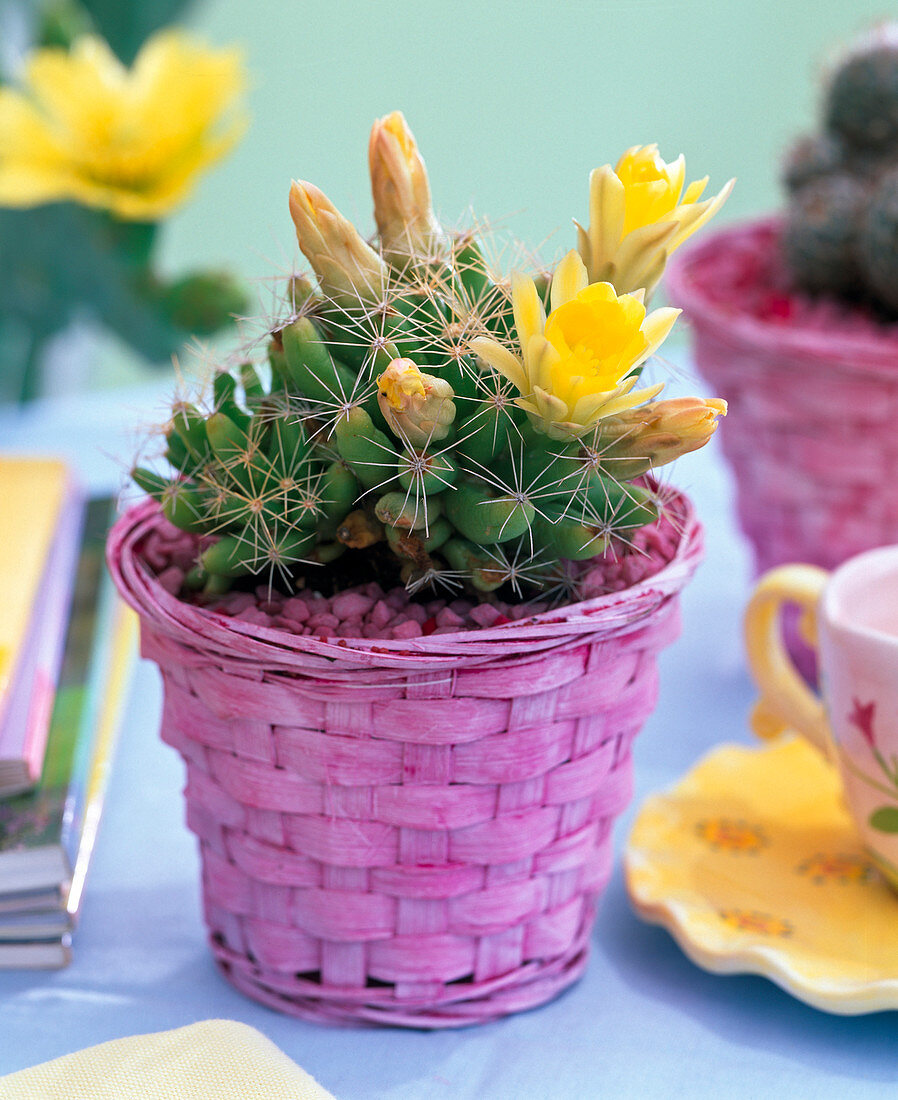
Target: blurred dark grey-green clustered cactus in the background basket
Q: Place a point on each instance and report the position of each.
(841, 225)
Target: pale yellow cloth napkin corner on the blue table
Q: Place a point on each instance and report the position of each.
(210, 1061)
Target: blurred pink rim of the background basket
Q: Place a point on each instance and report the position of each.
(862, 355)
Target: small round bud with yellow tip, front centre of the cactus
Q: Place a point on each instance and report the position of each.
(419, 408)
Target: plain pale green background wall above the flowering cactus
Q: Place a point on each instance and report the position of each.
(512, 104)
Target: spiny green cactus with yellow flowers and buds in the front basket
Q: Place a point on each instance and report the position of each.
(420, 410)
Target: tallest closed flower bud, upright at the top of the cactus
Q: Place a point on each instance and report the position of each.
(403, 210)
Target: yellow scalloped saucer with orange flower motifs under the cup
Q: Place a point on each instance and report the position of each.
(753, 865)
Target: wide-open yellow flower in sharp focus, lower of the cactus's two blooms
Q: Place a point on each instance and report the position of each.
(577, 367)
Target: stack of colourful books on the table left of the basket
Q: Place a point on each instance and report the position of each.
(67, 648)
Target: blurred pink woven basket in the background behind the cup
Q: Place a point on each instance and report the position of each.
(814, 398)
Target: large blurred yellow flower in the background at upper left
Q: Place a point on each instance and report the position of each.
(86, 129)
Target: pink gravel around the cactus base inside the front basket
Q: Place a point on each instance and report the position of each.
(369, 612)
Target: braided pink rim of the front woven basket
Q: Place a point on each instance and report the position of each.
(603, 617)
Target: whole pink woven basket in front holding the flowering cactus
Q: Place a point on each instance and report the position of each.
(414, 832)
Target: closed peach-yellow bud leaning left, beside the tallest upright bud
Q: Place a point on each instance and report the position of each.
(348, 269)
